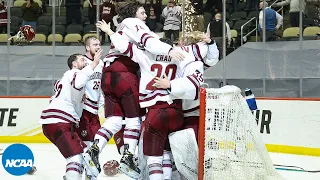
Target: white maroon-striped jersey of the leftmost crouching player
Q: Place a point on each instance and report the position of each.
(66, 105)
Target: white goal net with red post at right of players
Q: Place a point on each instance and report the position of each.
(230, 145)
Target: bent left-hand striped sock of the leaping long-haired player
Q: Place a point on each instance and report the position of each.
(112, 125)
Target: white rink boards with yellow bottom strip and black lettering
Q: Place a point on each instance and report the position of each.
(287, 125)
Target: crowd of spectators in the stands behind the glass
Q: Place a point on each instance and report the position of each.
(164, 18)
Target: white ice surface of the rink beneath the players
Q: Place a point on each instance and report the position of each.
(51, 164)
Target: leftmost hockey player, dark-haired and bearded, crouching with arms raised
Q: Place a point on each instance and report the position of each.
(60, 118)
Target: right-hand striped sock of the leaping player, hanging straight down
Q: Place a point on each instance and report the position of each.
(131, 133)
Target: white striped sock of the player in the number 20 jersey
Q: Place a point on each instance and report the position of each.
(154, 164)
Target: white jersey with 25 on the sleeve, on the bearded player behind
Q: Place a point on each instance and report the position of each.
(94, 97)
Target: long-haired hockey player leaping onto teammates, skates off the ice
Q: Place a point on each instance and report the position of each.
(121, 94)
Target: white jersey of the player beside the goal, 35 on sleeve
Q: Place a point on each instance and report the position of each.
(190, 94)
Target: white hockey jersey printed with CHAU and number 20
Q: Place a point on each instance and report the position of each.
(157, 65)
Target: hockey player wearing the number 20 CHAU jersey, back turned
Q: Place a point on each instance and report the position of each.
(164, 115)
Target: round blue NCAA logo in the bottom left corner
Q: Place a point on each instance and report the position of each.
(17, 159)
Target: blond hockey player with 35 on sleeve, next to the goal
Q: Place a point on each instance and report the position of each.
(190, 91)
